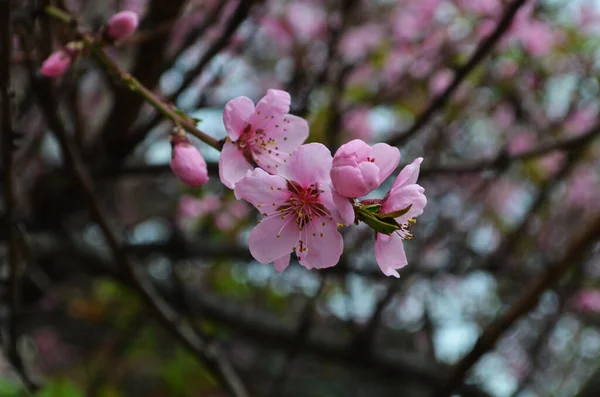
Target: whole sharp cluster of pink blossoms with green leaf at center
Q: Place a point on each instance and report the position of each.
(305, 194)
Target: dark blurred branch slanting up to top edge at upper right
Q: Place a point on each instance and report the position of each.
(440, 101)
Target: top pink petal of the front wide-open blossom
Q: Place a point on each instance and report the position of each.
(309, 164)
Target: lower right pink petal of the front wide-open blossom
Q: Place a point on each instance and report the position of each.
(324, 245)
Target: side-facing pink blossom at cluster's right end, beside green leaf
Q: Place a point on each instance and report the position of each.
(389, 250)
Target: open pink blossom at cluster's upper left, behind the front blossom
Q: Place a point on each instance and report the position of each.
(262, 137)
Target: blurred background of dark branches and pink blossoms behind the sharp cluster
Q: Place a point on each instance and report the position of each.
(499, 97)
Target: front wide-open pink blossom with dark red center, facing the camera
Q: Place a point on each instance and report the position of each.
(298, 209)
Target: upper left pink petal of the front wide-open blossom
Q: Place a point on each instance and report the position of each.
(265, 192)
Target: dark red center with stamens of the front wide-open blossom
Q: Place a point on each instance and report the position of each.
(303, 204)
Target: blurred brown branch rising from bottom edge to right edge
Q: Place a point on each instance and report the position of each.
(574, 256)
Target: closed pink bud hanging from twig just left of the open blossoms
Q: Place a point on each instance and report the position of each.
(187, 162)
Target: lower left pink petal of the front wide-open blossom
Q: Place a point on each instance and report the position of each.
(273, 238)
